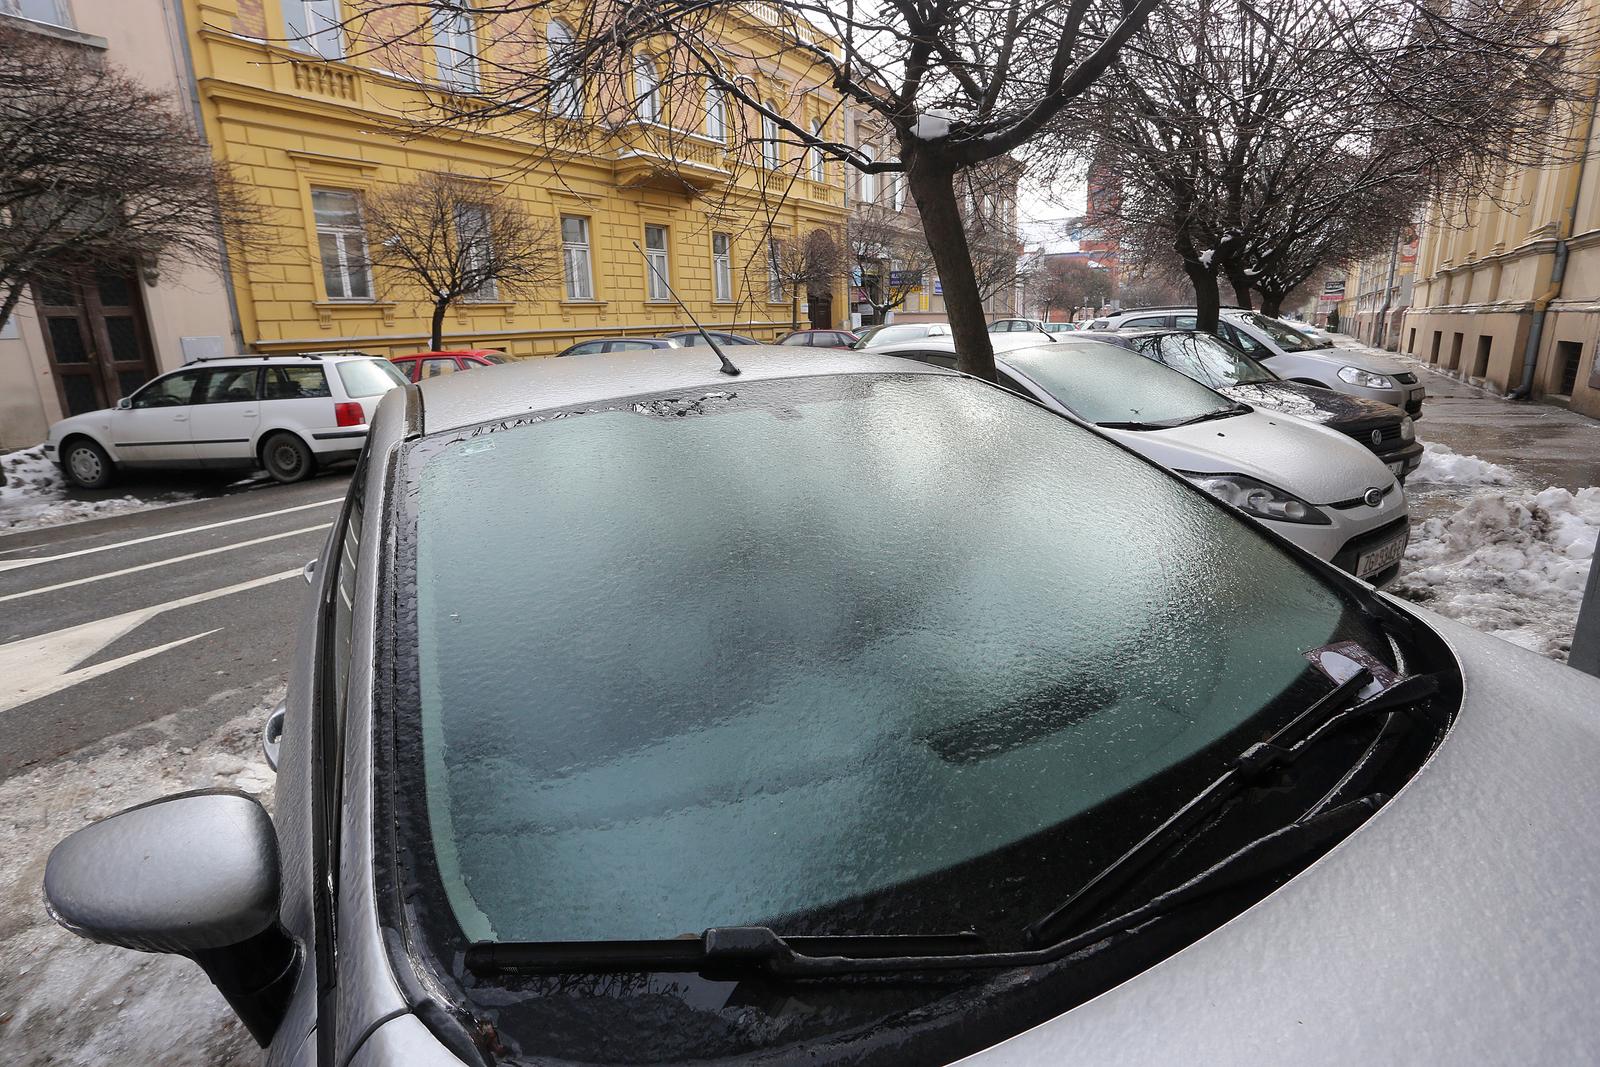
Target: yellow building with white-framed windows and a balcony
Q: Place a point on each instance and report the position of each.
(314, 134)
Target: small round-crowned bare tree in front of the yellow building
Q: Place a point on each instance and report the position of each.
(458, 239)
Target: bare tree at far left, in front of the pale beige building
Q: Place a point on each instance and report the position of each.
(97, 169)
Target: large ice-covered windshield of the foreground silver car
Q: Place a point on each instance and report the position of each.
(742, 657)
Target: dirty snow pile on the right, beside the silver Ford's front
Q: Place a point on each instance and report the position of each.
(1508, 564)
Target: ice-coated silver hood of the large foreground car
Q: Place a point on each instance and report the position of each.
(1457, 925)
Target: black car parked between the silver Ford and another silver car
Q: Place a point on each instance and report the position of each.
(1388, 431)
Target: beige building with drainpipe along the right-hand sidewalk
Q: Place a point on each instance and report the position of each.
(1508, 282)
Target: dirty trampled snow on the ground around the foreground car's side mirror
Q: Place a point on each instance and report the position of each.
(66, 1001)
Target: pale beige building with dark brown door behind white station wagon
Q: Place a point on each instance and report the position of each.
(81, 348)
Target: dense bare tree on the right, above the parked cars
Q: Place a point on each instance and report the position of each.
(1257, 138)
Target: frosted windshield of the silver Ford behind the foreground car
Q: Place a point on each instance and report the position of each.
(1114, 386)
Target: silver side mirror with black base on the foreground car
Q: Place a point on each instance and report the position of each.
(196, 876)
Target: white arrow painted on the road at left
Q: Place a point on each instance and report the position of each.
(39, 666)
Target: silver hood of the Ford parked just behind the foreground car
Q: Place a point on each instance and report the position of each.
(1310, 462)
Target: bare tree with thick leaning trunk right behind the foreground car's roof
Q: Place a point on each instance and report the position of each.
(958, 84)
